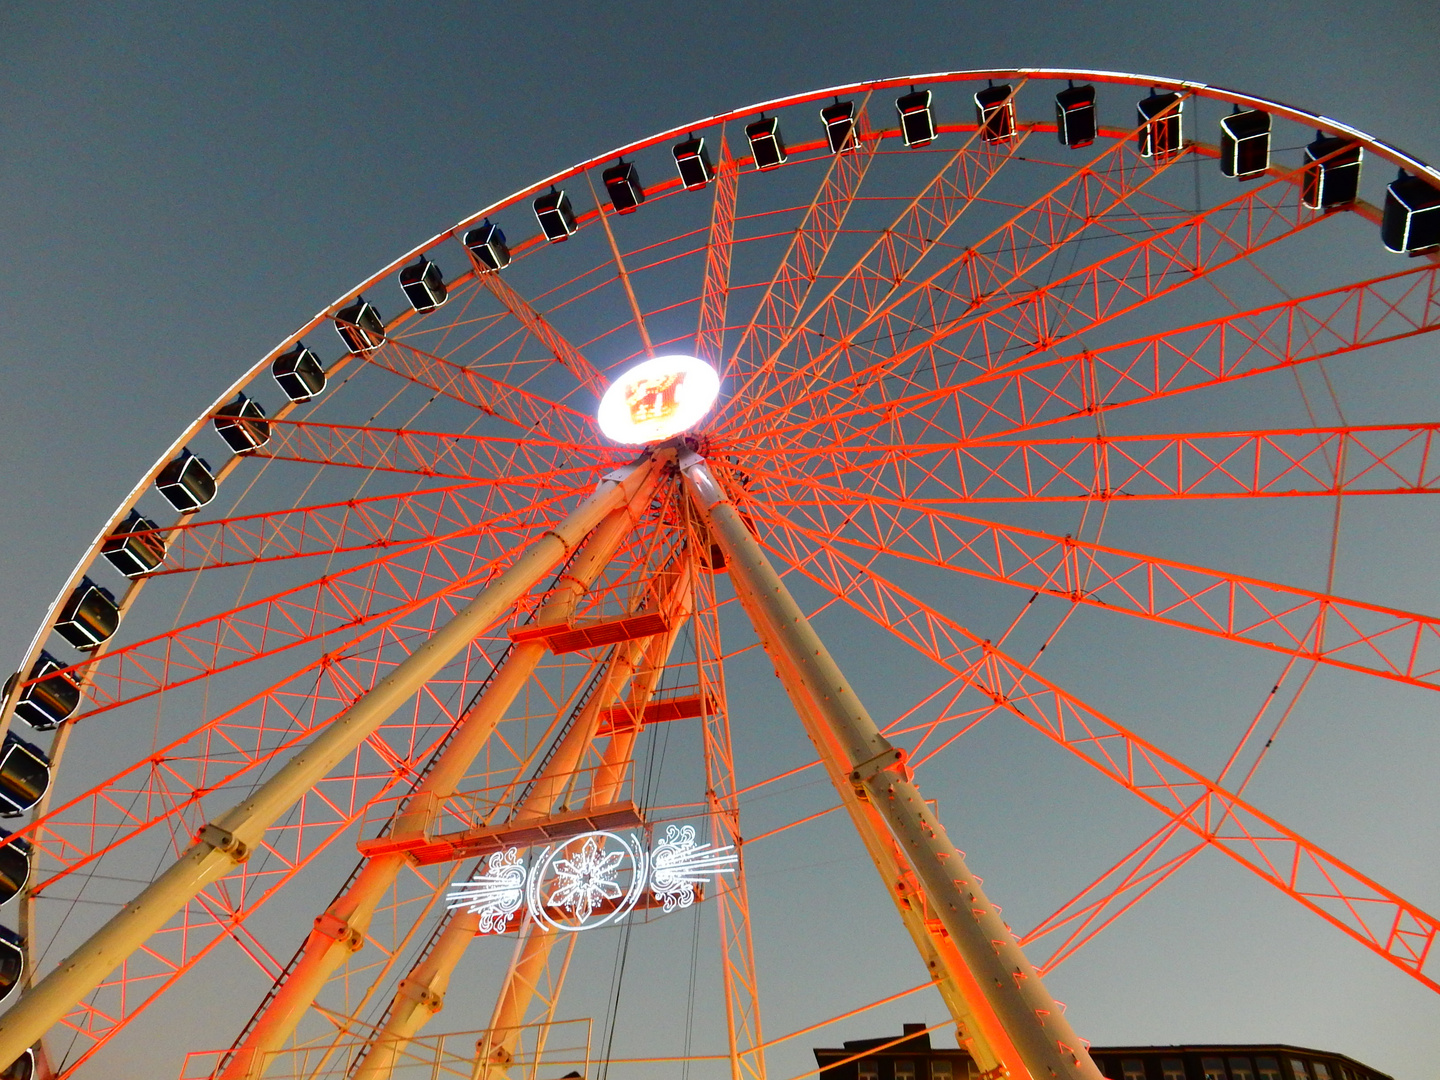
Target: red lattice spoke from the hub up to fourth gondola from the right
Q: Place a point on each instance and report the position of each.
(986, 273)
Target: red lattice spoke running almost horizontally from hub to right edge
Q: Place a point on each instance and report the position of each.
(922, 476)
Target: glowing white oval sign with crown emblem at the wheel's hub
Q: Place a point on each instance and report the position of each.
(659, 400)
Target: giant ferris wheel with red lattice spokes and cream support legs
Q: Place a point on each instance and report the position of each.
(722, 487)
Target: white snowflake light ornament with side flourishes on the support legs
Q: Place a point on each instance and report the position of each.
(591, 881)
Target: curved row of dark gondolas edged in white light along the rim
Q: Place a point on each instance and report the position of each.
(91, 616)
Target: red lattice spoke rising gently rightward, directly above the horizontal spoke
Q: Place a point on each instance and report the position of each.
(1238, 346)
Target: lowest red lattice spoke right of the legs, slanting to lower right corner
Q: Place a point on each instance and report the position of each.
(1377, 918)
